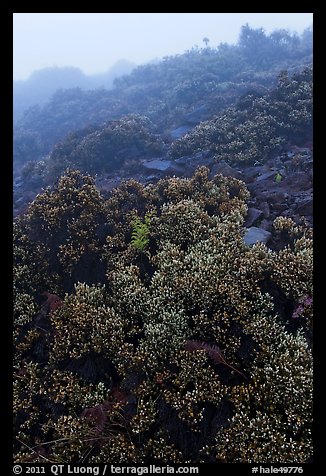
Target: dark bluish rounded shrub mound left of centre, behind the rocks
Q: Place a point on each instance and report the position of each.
(99, 149)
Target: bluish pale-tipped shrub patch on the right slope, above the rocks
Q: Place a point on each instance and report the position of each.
(257, 125)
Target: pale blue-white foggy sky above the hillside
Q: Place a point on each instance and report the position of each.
(93, 42)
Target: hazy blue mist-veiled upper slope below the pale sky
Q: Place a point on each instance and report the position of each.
(179, 90)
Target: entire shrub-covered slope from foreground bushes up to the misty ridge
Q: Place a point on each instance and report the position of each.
(163, 263)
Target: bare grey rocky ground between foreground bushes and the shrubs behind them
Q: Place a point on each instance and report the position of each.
(283, 186)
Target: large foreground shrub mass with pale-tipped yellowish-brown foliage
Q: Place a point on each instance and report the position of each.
(191, 349)
